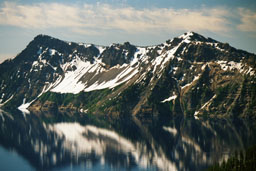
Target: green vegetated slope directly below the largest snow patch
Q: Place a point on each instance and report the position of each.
(122, 103)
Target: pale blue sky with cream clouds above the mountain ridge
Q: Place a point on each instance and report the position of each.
(141, 22)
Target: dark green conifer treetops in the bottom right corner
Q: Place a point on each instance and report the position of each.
(242, 161)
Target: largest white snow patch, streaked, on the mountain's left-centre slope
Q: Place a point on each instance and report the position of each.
(72, 79)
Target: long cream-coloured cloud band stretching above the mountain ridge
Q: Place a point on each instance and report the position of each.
(99, 18)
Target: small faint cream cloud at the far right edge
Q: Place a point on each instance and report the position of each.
(248, 20)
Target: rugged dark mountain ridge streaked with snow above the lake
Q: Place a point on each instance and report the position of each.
(190, 75)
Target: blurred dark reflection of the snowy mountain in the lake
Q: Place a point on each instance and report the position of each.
(121, 144)
